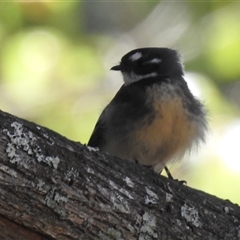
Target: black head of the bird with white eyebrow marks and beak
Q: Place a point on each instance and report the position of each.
(149, 63)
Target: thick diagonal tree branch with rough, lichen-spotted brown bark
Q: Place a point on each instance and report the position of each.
(53, 188)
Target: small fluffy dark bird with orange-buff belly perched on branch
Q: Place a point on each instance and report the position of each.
(154, 118)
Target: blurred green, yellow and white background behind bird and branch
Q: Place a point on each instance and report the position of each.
(55, 59)
